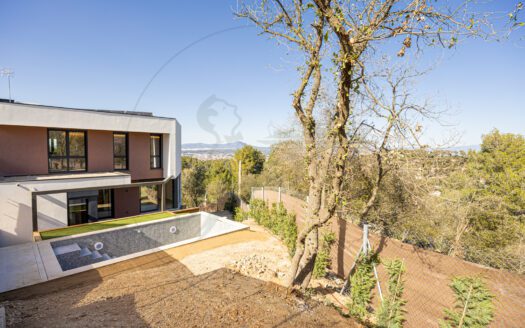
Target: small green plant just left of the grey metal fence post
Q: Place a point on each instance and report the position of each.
(361, 284)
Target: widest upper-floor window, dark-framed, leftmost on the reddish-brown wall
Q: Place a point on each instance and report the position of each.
(66, 151)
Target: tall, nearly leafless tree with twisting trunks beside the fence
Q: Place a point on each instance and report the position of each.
(351, 32)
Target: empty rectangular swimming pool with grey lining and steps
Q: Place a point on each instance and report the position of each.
(93, 249)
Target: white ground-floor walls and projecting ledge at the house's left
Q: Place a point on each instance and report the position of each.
(15, 205)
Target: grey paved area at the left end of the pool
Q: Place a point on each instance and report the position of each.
(20, 265)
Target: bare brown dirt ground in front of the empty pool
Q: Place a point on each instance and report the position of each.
(197, 285)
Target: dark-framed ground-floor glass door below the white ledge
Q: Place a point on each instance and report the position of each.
(89, 206)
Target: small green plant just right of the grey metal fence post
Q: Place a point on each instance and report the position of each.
(391, 313)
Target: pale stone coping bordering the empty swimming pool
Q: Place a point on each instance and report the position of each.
(52, 268)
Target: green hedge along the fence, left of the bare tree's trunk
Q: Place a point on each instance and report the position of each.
(276, 219)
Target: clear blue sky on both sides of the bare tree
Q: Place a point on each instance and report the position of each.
(101, 54)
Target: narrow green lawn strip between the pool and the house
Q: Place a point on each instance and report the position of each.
(103, 225)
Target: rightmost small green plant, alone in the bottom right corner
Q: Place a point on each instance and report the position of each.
(473, 307)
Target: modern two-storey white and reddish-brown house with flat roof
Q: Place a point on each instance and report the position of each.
(65, 166)
